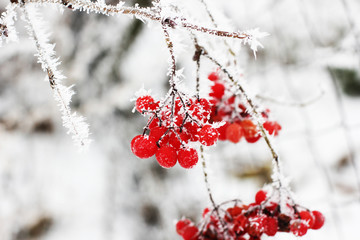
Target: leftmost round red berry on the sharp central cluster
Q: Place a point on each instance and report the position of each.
(143, 146)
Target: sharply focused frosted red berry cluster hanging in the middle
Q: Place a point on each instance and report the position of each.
(171, 127)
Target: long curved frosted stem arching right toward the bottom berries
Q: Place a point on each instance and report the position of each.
(255, 114)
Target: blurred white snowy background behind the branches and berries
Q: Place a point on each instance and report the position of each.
(50, 191)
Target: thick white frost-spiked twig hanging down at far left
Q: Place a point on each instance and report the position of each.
(46, 57)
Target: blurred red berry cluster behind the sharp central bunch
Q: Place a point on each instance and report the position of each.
(238, 124)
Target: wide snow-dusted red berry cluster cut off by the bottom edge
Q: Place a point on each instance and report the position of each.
(250, 222)
